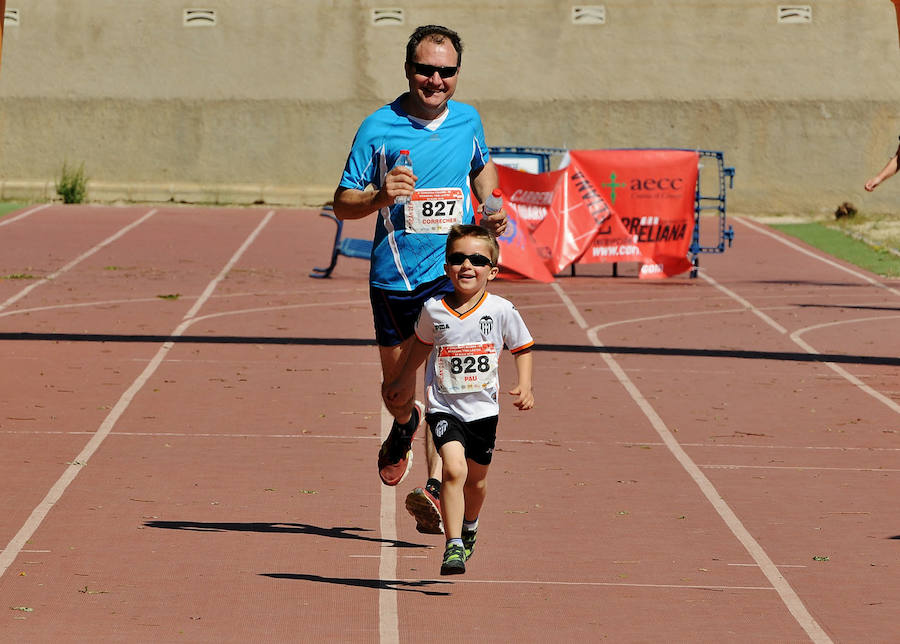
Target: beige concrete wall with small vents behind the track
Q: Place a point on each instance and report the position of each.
(263, 106)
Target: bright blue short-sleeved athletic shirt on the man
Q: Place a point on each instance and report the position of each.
(443, 152)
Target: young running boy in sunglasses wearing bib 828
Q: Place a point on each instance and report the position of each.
(464, 333)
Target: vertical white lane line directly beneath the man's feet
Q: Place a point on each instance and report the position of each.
(388, 619)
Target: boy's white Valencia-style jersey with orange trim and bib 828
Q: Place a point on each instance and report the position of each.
(461, 374)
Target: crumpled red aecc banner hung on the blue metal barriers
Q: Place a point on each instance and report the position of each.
(604, 206)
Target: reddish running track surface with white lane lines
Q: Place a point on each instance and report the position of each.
(201, 468)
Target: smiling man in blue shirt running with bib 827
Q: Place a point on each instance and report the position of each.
(450, 161)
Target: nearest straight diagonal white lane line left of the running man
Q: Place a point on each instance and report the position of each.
(43, 508)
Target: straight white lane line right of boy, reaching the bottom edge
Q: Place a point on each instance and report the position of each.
(788, 596)
